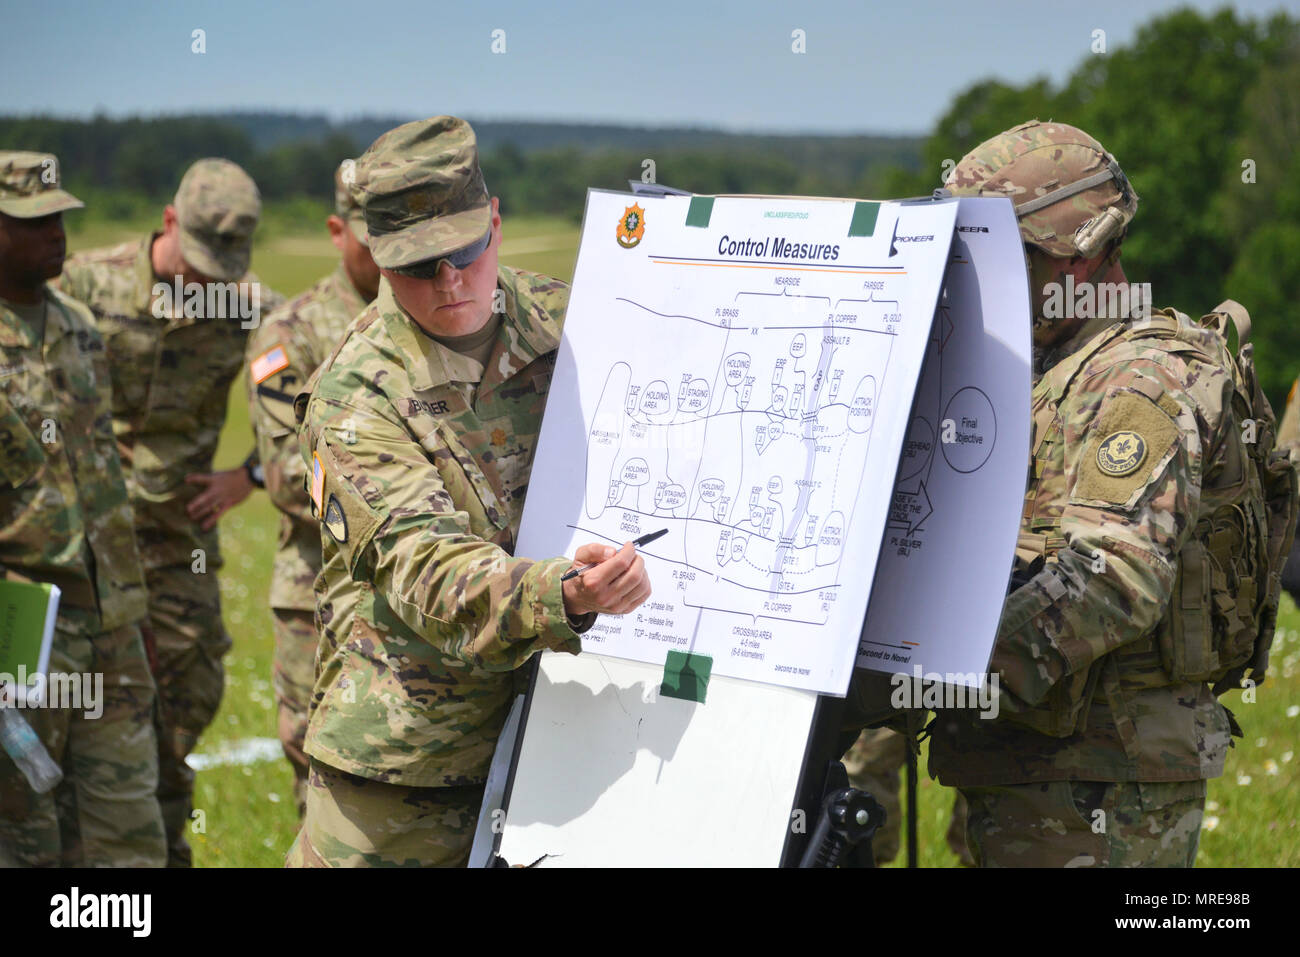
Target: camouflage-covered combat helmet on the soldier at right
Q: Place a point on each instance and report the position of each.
(1072, 197)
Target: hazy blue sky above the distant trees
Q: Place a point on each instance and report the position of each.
(868, 68)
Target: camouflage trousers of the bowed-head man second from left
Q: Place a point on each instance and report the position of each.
(189, 640)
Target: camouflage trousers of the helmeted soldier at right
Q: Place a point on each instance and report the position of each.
(1086, 825)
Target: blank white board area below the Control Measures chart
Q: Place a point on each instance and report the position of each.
(612, 773)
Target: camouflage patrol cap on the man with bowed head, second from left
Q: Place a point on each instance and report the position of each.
(218, 209)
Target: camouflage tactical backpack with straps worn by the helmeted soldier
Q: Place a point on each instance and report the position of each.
(1224, 609)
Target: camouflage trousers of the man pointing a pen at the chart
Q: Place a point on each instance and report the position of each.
(357, 822)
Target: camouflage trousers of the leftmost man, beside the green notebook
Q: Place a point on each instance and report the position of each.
(106, 812)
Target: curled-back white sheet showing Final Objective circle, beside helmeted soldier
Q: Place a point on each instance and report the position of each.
(951, 538)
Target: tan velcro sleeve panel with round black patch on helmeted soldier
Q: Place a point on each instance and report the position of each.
(1126, 448)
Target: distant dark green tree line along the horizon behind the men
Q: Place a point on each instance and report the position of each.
(545, 176)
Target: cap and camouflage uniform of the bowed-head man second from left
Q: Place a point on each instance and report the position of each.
(172, 374)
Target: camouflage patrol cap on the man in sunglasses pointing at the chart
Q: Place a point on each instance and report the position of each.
(423, 192)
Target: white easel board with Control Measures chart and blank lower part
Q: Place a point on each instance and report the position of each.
(757, 409)
